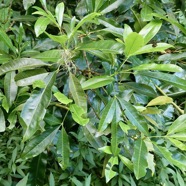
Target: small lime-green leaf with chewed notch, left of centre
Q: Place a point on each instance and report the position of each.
(78, 114)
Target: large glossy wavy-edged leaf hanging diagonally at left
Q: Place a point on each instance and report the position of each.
(35, 107)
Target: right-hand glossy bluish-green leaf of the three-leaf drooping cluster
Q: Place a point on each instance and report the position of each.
(134, 117)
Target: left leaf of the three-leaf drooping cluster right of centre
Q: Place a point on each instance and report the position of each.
(107, 115)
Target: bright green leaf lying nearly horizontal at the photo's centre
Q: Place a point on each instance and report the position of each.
(97, 82)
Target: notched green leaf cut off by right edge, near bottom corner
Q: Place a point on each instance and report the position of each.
(180, 161)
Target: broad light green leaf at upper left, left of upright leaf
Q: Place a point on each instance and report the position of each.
(41, 25)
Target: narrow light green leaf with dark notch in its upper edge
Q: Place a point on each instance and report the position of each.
(149, 48)
